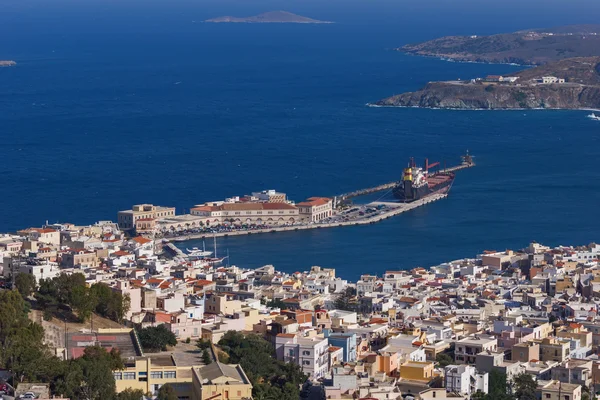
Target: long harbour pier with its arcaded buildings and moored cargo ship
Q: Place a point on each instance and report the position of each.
(271, 211)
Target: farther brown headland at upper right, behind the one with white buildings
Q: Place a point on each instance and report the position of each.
(528, 47)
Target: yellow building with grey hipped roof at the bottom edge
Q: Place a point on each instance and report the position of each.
(220, 381)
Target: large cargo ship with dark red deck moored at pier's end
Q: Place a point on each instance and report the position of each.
(418, 182)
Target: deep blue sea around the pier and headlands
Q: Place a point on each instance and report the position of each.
(115, 103)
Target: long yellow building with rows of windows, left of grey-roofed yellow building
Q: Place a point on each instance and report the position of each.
(150, 373)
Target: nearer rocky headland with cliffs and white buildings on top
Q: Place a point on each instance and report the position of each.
(572, 83)
